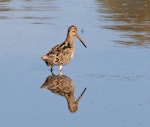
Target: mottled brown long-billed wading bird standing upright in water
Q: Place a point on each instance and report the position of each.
(62, 54)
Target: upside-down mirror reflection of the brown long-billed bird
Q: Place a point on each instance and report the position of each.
(63, 85)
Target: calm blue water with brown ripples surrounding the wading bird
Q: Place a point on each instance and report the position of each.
(115, 66)
